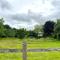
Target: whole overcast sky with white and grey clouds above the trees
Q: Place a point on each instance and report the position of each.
(28, 13)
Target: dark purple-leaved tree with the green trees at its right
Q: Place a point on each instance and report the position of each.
(52, 29)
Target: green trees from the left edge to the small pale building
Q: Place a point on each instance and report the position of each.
(7, 31)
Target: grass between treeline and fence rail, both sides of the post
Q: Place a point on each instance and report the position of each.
(31, 43)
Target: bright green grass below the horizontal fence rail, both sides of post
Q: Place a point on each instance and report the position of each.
(31, 56)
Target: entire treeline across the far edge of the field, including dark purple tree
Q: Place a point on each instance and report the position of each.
(49, 29)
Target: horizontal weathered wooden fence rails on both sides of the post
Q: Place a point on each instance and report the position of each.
(29, 50)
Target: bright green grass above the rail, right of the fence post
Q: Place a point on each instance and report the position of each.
(44, 44)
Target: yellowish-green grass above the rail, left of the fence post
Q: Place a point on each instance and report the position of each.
(10, 43)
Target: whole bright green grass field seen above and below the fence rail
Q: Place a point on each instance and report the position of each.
(32, 43)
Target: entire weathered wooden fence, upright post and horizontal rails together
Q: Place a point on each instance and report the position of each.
(24, 50)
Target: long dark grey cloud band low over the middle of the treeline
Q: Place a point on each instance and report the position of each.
(28, 17)
